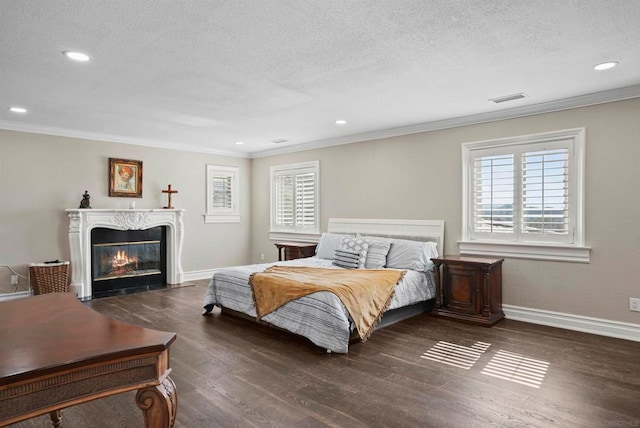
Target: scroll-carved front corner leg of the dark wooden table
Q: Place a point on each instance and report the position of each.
(159, 404)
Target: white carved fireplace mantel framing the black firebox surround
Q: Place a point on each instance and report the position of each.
(82, 221)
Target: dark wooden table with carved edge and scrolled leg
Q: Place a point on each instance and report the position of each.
(55, 352)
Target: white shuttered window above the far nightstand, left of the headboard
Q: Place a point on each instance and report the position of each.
(295, 200)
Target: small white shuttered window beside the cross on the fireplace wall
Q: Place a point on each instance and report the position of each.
(222, 194)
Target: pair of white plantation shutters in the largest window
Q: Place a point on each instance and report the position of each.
(522, 193)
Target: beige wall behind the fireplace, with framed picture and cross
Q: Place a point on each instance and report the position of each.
(42, 175)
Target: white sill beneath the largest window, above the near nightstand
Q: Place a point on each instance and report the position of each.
(563, 253)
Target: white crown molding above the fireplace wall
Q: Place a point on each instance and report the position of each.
(96, 136)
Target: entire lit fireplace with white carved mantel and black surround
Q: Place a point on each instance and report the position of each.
(90, 275)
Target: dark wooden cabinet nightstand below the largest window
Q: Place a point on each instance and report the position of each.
(469, 289)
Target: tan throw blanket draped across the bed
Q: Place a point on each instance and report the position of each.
(365, 293)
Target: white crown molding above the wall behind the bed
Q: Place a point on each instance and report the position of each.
(619, 94)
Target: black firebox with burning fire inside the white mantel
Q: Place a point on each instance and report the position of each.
(127, 261)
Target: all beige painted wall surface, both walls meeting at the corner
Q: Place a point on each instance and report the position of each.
(416, 176)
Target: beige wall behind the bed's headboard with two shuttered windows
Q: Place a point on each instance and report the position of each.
(419, 177)
